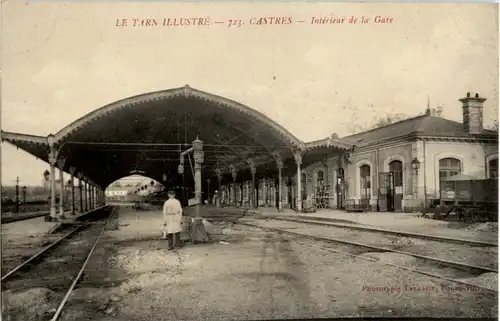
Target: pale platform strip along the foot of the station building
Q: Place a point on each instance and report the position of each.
(405, 222)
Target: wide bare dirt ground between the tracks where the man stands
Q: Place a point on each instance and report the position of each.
(250, 275)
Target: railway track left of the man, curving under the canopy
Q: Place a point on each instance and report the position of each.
(60, 265)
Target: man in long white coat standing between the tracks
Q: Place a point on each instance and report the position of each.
(172, 216)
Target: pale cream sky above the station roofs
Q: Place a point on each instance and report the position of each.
(61, 61)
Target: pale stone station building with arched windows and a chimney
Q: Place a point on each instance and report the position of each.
(397, 167)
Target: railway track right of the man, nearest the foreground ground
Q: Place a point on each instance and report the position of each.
(431, 266)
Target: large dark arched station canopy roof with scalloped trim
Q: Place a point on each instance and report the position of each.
(147, 132)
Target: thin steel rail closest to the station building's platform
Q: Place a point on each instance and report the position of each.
(394, 232)
